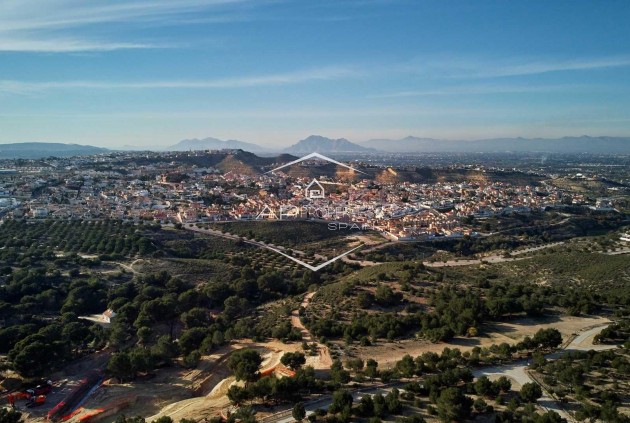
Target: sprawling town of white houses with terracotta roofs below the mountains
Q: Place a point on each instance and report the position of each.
(167, 188)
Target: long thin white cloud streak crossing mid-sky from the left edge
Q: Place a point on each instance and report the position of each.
(289, 78)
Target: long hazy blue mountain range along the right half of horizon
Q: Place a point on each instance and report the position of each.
(583, 144)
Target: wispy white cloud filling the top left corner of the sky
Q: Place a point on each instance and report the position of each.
(62, 26)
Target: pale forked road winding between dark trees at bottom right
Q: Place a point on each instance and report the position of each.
(518, 373)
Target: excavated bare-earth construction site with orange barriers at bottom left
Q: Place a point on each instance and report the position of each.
(174, 392)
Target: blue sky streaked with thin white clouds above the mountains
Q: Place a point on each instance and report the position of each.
(150, 73)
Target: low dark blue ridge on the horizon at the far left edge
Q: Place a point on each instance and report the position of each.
(38, 150)
